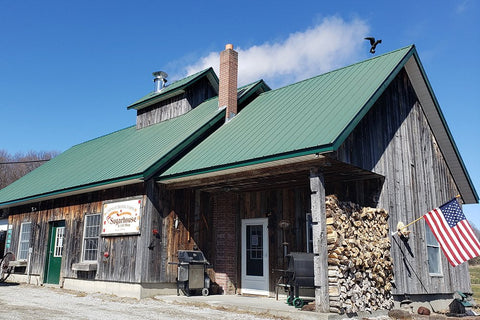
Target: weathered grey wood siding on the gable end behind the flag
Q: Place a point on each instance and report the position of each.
(394, 140)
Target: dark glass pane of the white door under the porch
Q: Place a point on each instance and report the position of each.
(254, 250)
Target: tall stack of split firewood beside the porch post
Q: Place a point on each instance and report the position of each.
(360, 268)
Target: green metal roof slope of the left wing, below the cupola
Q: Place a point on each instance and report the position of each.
(122, 155)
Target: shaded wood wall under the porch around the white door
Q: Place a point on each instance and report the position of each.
(221, 249)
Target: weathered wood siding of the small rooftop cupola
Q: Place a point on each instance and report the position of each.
(175, 106)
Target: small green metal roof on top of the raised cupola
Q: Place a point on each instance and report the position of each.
(174, 89)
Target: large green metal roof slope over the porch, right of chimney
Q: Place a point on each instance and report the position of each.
(313, 115)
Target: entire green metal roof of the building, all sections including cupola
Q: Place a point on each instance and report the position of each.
(314, 115)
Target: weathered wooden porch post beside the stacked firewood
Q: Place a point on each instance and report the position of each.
(319, 230)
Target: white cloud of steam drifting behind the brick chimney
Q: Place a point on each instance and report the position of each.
(331, 44)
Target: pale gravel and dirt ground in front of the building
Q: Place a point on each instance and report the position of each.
(25, 302)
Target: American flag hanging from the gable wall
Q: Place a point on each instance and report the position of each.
(453, 232)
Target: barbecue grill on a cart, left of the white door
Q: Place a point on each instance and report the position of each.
(192, 274)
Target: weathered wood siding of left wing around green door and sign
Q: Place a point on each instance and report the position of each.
(122, 264)
